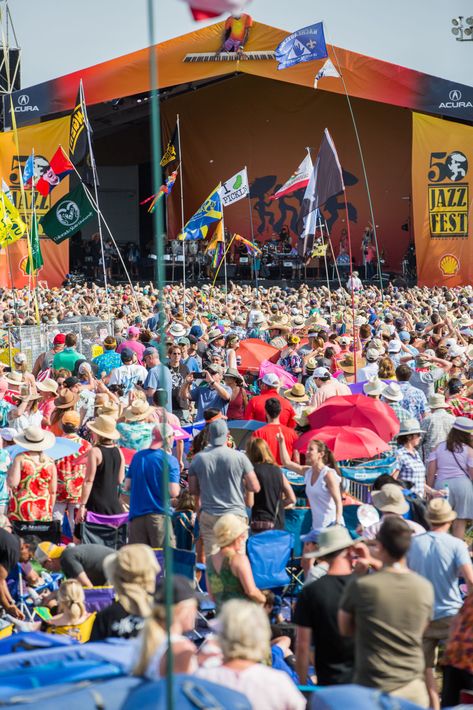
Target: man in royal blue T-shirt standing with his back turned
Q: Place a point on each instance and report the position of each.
(145, 481)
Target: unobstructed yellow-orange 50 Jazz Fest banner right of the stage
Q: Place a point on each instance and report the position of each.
(442, 185)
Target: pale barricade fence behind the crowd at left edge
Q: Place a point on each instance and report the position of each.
(32, 340)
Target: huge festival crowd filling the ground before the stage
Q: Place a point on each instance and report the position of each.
(162, 401)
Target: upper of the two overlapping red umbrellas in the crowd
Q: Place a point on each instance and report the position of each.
(357, 410)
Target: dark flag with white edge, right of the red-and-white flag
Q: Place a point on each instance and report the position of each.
(325, 181)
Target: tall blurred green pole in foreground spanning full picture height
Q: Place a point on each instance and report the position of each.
(158, 238)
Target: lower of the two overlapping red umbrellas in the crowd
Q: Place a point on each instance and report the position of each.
(345, 442)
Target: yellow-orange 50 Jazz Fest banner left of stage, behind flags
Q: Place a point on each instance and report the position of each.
(44, 138)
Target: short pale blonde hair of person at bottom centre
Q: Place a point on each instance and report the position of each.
(244, 631)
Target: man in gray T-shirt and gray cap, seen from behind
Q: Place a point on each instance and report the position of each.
(220, 476)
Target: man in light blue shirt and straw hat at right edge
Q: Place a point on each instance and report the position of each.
(441, 558)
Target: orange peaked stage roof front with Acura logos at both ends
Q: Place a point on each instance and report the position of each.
(364, 77)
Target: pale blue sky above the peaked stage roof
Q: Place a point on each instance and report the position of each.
(61, 36)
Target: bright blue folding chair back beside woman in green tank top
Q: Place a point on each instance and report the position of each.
(269, 553)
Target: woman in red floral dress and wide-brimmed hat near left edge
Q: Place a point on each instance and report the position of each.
(32, 477)
